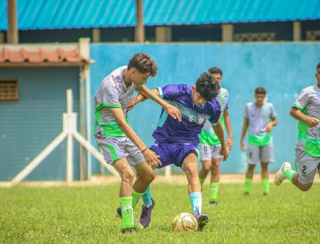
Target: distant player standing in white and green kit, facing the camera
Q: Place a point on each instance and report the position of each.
(260, 117)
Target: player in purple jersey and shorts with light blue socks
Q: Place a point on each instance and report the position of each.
(176, 143)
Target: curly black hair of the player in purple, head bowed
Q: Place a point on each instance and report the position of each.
(207, 86)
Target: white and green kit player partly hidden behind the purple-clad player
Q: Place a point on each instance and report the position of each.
(209, 142)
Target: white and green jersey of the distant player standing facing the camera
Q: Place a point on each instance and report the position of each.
(258, 119)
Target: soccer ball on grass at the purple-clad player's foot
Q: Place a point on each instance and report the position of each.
(184, 222)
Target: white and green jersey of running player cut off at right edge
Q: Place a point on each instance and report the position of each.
(308, 102)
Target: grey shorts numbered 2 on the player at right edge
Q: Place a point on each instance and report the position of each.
(306, 166)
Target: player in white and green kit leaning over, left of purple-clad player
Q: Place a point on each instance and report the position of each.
(122, 148)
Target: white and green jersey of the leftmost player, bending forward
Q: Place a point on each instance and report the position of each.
(112, 93)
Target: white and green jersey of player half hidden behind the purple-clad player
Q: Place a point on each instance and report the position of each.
(207, 135)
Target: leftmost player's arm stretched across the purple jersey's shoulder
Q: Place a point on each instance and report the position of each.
(155, 96)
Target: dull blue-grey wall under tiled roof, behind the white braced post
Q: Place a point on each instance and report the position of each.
(28, 125)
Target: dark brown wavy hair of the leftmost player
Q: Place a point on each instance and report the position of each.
(144, 64)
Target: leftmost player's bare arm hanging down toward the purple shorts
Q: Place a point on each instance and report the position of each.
(150, 156)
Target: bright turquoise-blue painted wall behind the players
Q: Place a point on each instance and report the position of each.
(282, 68)
